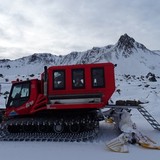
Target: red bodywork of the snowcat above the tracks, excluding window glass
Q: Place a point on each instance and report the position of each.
(68, 97)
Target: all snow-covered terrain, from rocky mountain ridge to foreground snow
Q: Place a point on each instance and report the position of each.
(137, 78)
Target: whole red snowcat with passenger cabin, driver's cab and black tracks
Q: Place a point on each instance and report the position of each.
(63, 105)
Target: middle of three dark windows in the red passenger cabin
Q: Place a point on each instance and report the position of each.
(78, 79)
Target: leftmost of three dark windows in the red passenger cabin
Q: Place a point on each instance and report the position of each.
(59, 79)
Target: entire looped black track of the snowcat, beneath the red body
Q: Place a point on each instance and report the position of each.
(85, 135)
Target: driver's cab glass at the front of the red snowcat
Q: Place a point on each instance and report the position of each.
(19, 94)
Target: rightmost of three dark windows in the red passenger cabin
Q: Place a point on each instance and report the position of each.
(97, 75)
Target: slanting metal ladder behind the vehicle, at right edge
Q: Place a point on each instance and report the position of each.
(149, 117)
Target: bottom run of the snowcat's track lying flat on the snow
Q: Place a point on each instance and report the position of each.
(64, 137)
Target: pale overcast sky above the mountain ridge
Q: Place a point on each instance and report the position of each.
(62, 26)
